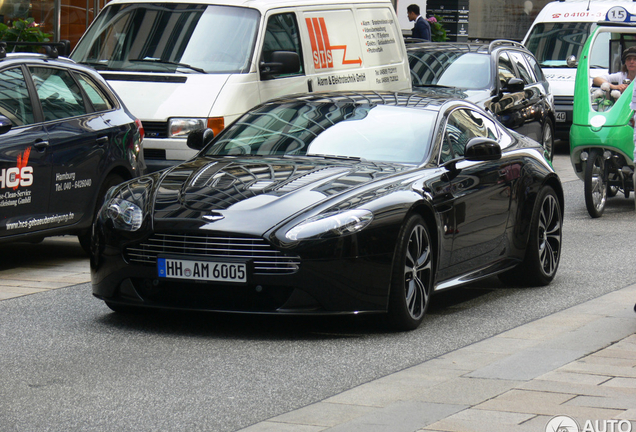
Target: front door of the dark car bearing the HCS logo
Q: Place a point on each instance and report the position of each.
(24, 159)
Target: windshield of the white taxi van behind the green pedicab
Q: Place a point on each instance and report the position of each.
(553, 43)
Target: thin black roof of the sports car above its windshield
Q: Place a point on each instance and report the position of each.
(417, 100)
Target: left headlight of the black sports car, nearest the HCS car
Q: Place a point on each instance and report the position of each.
(125, 205)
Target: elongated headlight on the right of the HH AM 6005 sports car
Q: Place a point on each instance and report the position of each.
(330, 224)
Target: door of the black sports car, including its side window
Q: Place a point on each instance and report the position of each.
(481, 194)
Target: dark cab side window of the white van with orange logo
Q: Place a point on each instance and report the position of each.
(282, 34)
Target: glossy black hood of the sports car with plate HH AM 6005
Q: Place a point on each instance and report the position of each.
(251, 195)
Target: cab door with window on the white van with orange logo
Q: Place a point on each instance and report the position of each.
(281, 34)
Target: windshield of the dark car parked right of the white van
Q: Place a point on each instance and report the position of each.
(449, 68)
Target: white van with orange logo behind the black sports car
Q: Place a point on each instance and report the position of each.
(182, 65)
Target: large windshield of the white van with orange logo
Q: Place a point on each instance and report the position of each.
(170, 37)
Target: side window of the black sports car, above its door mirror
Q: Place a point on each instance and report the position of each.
(462, 126)
